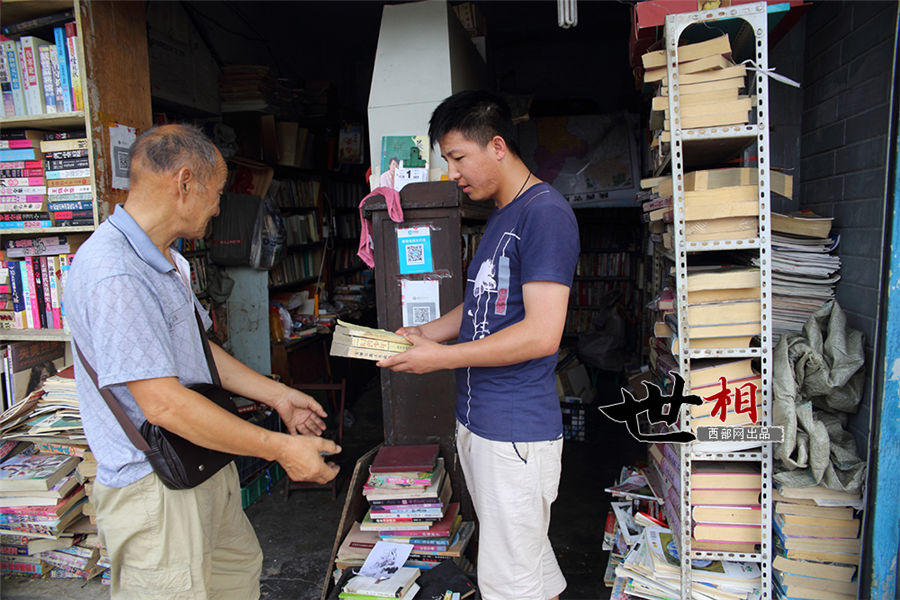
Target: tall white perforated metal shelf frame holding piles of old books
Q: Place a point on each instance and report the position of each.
(756, 16)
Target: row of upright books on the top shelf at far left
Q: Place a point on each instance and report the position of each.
(41, 77)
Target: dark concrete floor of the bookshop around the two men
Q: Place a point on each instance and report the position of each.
(297, 536)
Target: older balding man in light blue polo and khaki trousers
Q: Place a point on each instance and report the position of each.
(131, 312)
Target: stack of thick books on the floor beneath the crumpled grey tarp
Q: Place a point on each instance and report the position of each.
(817, 543)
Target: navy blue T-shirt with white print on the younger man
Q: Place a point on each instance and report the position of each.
(533, 238)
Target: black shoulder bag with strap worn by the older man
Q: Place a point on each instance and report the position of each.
(180, 464)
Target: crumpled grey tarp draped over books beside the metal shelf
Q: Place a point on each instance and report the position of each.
(818, 379)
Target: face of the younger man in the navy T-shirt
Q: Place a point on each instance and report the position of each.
(472, 166)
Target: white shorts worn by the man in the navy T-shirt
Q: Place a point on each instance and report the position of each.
(512, 487)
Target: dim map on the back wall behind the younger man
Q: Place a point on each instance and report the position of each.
(588, 158)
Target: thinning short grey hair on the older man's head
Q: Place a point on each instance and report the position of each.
(168, 148)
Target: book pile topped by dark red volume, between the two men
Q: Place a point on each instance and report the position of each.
(409, 492)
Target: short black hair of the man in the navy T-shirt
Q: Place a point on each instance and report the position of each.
(478, 115)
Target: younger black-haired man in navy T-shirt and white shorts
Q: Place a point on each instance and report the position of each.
(508, 328)
